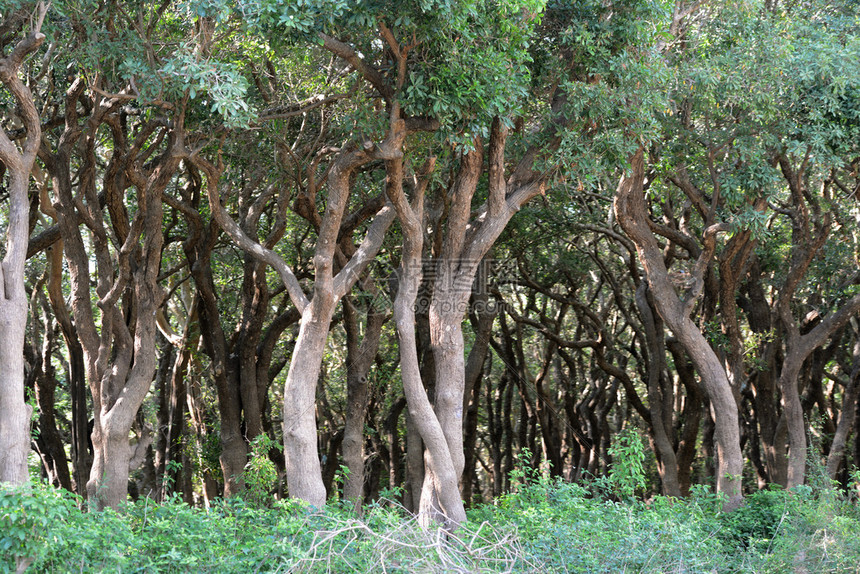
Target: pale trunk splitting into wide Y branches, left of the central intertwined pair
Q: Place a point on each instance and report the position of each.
(303, 470)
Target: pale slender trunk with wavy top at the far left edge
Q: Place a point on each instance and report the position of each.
(14, 411)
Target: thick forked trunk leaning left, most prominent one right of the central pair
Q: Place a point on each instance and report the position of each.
(632, 215)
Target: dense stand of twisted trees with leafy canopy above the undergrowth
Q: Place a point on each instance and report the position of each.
(406, 250)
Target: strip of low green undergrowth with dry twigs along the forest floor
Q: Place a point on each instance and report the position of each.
(545, 527)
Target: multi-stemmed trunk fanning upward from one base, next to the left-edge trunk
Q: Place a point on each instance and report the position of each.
(120, 353)
